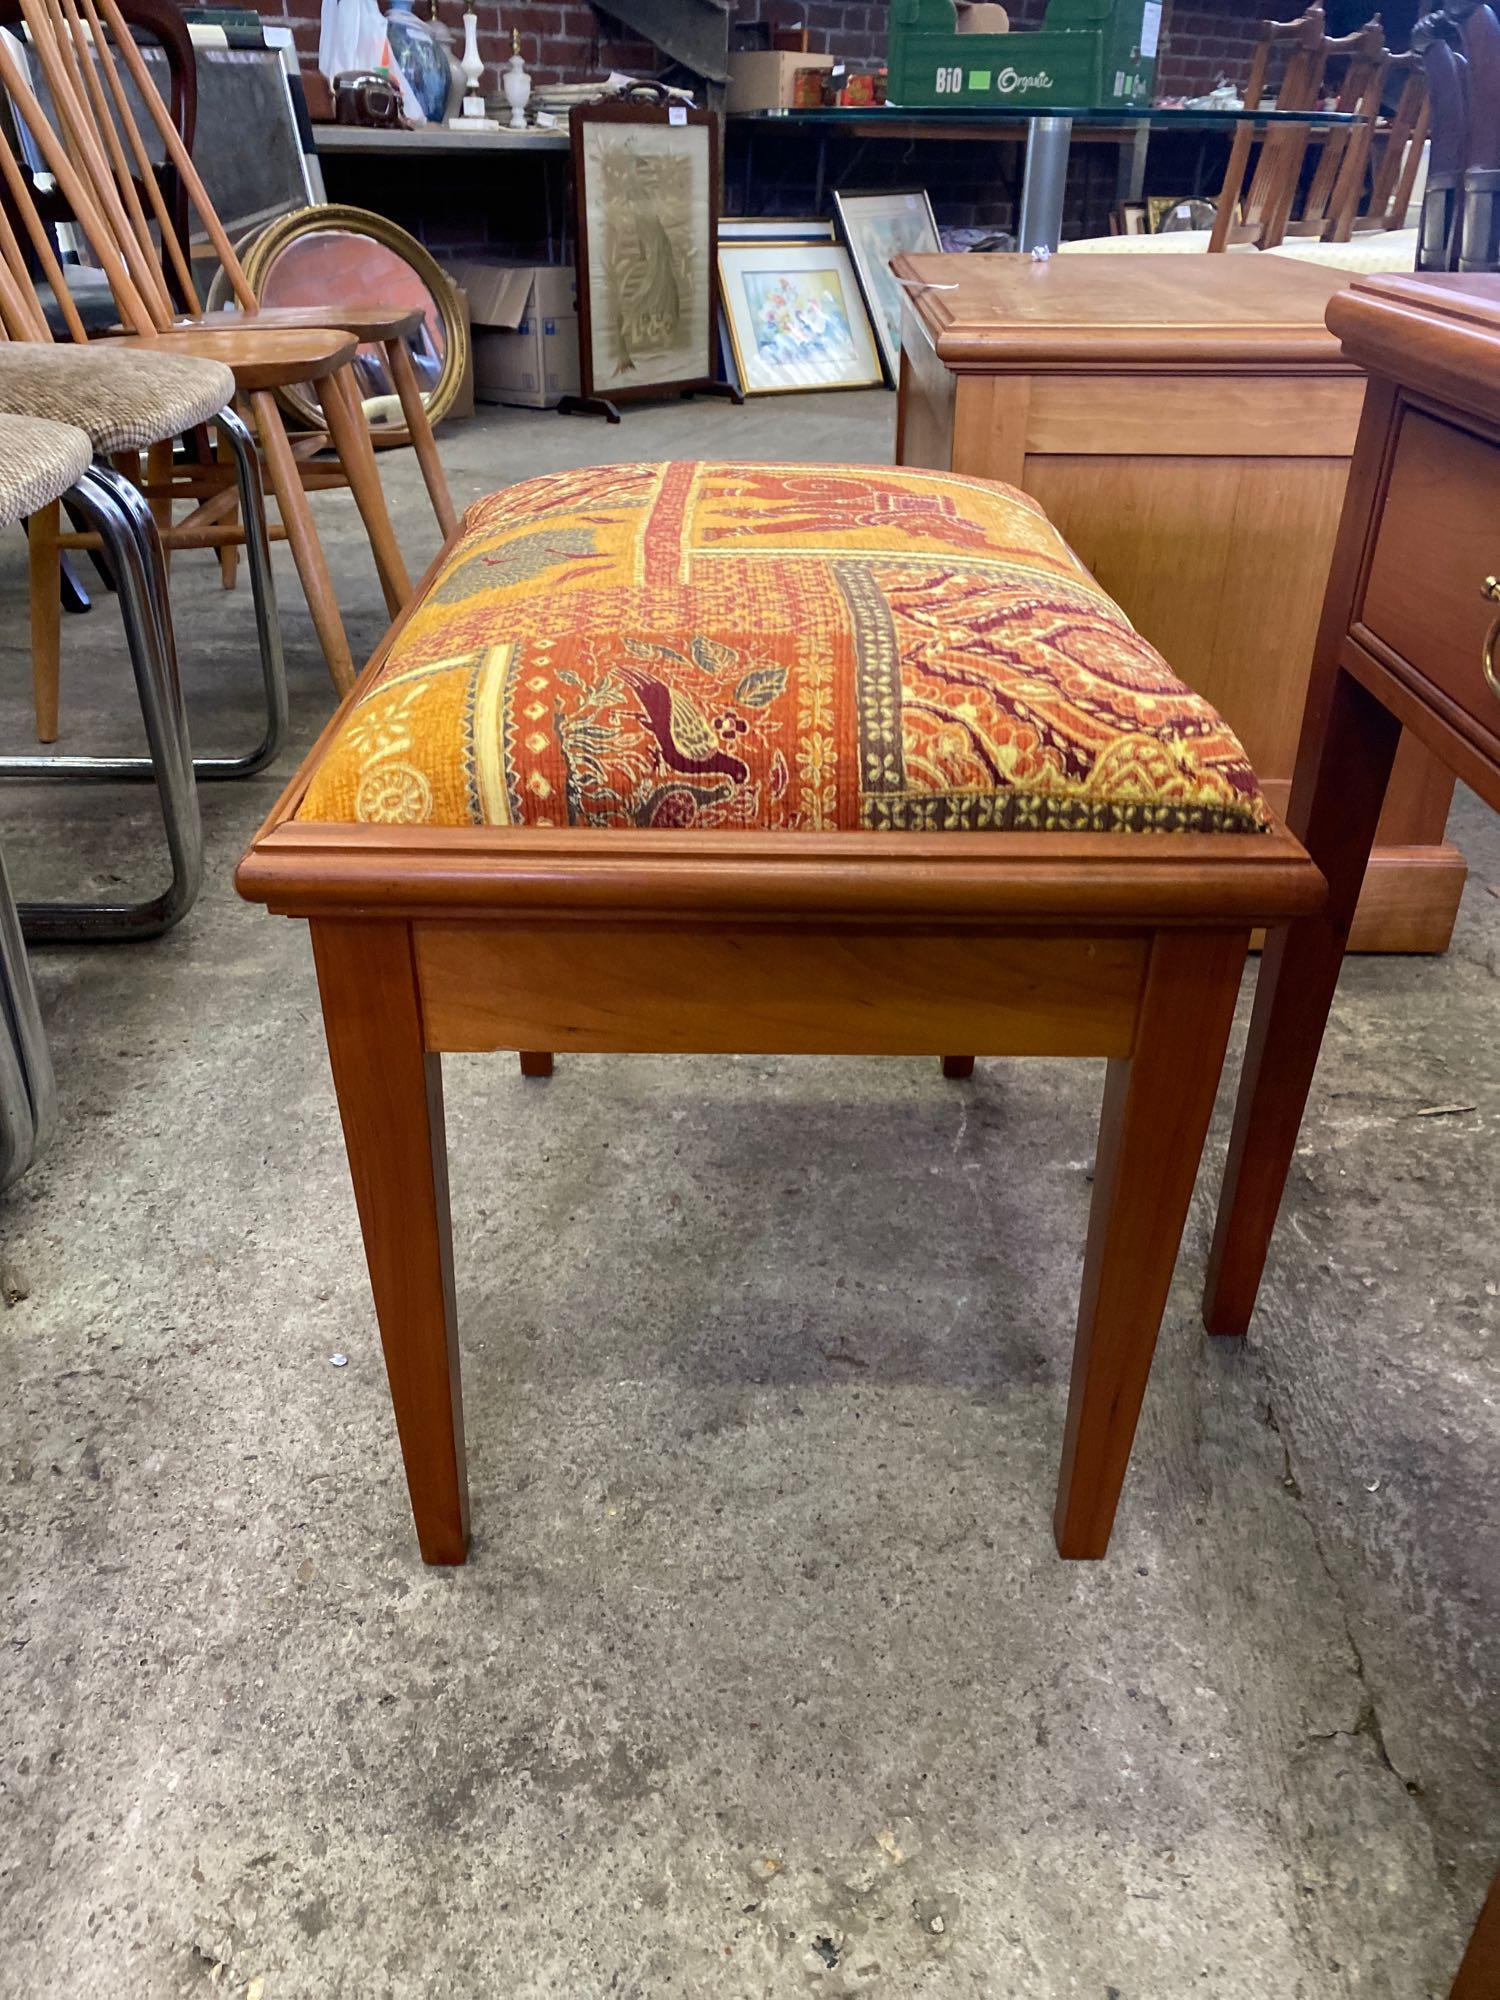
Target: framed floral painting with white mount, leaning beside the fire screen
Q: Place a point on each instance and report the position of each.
(797, 319)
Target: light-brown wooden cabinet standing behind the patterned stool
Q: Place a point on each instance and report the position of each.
(1189, 425)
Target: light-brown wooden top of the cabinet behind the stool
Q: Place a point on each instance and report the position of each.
(1159, 313)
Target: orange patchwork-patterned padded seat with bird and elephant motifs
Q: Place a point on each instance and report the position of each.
(775, 647)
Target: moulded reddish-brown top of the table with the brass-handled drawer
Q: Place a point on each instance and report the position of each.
(1437, 333)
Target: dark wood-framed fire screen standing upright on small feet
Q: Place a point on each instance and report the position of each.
(647, 193)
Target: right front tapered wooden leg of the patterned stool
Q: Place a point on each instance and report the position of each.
(1157, 1107)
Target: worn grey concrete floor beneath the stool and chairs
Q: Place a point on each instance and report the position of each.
(763, 1677)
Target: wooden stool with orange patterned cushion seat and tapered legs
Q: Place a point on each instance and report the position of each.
(775, 759)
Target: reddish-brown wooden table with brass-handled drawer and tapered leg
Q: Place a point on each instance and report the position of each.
(1409, 639)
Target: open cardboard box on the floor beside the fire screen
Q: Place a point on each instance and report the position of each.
(525, 321)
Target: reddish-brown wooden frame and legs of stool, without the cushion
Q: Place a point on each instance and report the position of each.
(433, 941)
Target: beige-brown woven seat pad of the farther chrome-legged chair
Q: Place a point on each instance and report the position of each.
(123, 401)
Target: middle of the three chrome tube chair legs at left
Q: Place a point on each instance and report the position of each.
(125, 527)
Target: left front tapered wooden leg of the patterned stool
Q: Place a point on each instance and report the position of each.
(391, 1101)
